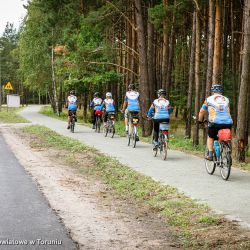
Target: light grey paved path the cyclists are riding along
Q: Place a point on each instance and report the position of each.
(180, 170)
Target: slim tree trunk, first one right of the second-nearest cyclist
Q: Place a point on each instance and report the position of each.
(190, 82)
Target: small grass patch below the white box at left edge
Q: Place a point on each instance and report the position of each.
(11, 116)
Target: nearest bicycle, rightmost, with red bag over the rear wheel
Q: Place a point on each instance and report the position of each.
(221, 157)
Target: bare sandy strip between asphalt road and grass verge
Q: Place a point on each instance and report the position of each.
(94, 217)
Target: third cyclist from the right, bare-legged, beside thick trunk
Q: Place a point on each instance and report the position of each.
(131, 104)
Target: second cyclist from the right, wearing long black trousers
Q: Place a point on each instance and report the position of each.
(160, 110)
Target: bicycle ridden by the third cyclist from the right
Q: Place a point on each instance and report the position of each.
(132, 129)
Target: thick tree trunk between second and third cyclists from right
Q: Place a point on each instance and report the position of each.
(143, 63)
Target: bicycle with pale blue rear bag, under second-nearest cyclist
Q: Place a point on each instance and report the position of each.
(163, 141)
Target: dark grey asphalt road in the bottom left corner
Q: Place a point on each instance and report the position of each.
(27, 221)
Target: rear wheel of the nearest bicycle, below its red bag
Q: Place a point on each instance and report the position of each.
(226, 161)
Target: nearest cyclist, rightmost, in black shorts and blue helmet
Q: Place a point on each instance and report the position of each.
(219, 116)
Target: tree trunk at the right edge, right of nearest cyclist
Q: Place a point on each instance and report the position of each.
(244, 87)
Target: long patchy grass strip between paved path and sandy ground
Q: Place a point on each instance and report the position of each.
(192, 225)
